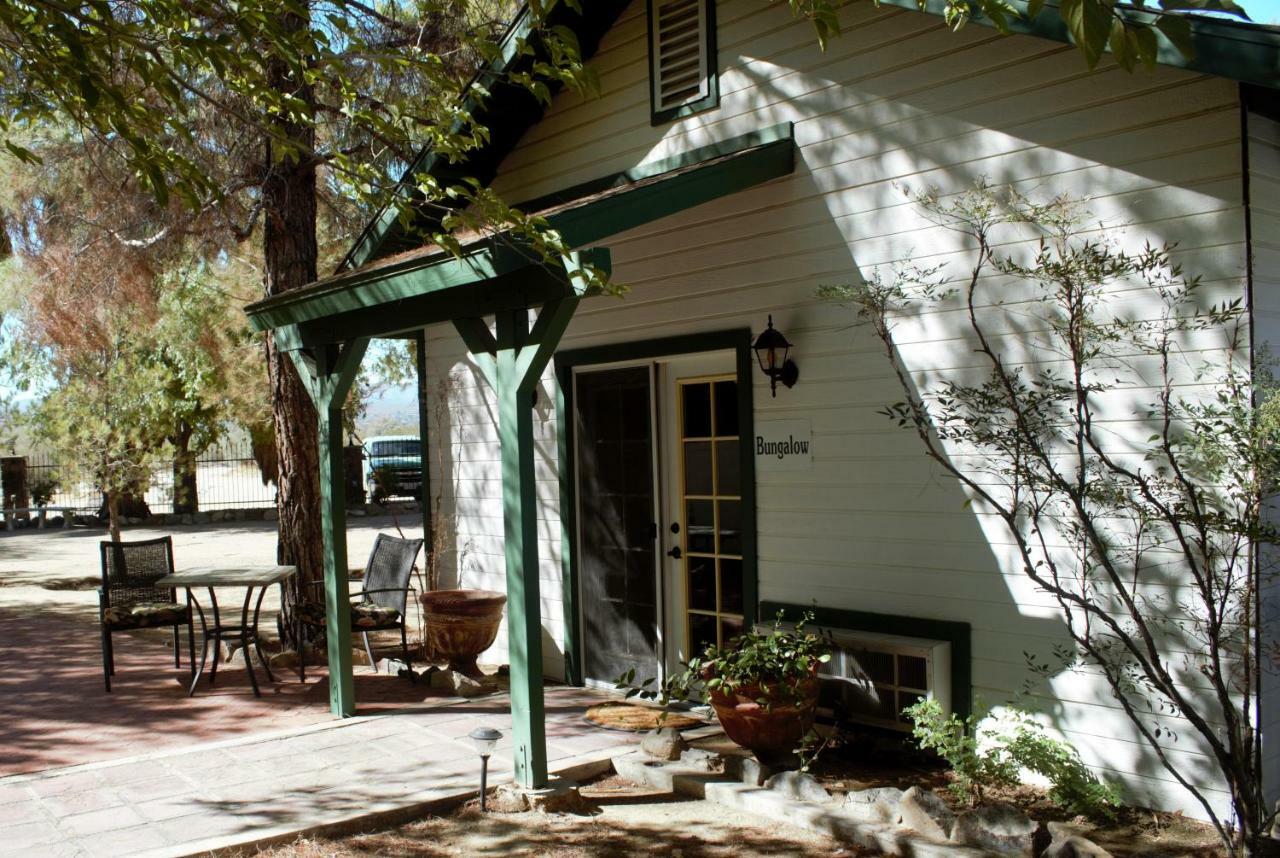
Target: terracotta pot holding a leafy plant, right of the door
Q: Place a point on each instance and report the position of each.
(771, 732)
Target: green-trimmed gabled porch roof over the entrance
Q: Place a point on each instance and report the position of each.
(431, 285)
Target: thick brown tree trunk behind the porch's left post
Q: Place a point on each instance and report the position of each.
(290, 257)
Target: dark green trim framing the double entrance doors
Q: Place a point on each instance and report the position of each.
(738, 340)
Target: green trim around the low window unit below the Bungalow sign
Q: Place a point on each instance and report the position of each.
(958, 635)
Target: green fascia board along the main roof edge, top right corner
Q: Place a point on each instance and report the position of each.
(1231, 49)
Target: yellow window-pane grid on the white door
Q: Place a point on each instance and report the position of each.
(728, 624)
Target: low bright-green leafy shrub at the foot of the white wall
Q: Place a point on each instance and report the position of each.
(998, 755)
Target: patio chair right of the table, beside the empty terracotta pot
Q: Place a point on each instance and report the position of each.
(382, 600)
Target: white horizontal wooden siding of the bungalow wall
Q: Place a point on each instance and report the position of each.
(897, 101)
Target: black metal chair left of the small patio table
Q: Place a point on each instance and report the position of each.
(130, 600)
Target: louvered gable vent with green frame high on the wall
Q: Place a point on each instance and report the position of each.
(680, 72)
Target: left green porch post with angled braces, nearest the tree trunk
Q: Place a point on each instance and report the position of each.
(330, 381)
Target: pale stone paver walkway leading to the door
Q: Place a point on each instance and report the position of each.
(220, 795)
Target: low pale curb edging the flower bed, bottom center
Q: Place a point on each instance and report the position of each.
(732, 792)
